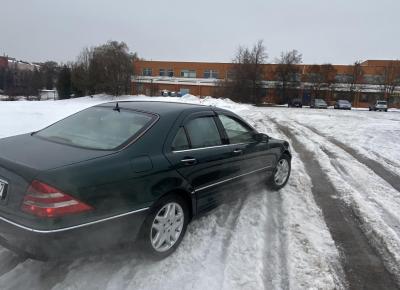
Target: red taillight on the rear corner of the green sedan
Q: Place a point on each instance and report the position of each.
(46, 201)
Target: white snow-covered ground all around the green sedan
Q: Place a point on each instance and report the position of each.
(262, 240)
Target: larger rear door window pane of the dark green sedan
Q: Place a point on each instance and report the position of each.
(203, 132)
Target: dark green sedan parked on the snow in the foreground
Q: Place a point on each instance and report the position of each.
(119, 173)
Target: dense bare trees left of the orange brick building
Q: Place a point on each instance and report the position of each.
(106, 68)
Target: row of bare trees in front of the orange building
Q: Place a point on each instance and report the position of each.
(246, 79)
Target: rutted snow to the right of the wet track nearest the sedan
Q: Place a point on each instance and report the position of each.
(375, 202)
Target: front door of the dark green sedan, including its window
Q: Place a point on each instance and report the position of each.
(253, 156)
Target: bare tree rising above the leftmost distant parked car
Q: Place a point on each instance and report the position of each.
(287, 72)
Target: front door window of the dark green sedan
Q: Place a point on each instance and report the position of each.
(236, 131)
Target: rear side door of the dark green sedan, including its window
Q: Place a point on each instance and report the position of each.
(199, 151)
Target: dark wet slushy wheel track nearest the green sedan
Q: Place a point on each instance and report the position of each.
(364, 269)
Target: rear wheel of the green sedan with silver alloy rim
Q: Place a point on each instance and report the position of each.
(168, 226)
